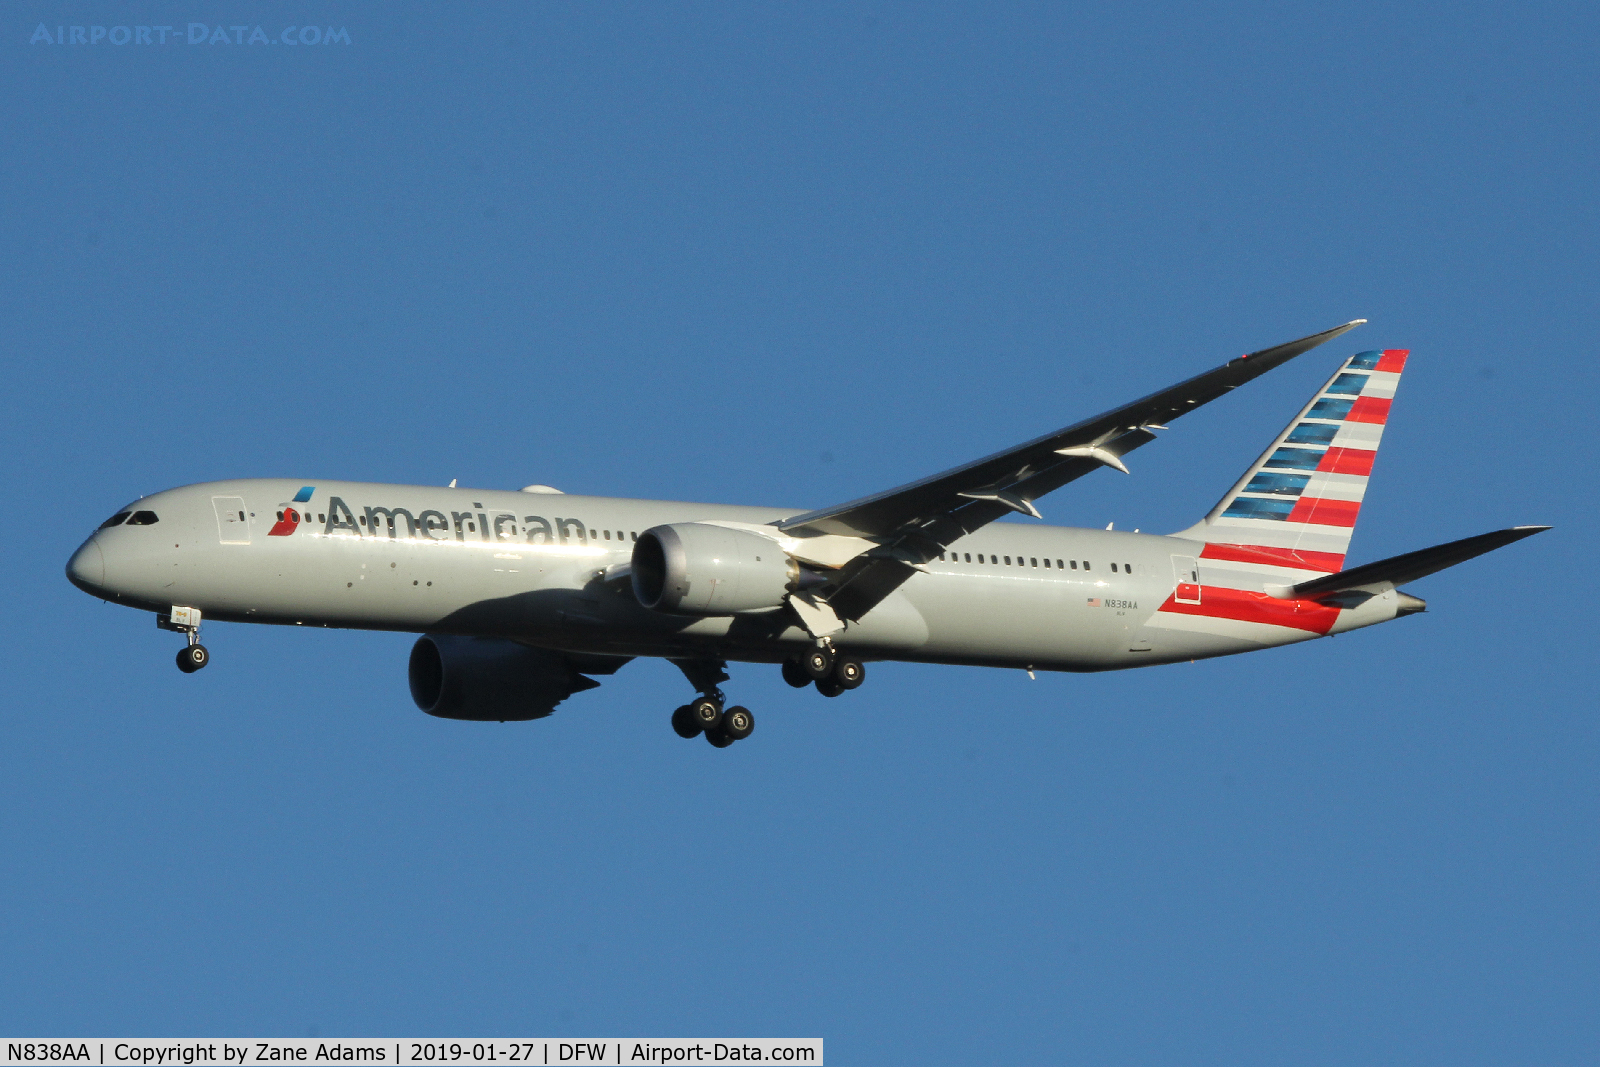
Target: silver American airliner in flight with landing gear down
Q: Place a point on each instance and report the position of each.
(524, 597)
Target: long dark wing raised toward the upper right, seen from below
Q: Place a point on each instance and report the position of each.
(916, 522)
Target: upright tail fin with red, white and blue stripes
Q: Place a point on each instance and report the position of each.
(1295, 510)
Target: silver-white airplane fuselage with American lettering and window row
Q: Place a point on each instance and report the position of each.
(534, 567)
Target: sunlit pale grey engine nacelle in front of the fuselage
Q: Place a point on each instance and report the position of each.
(697, 569)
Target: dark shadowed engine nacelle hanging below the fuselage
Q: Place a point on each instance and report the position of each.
(487, 679)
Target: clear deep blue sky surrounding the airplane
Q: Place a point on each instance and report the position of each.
(791, 255)
